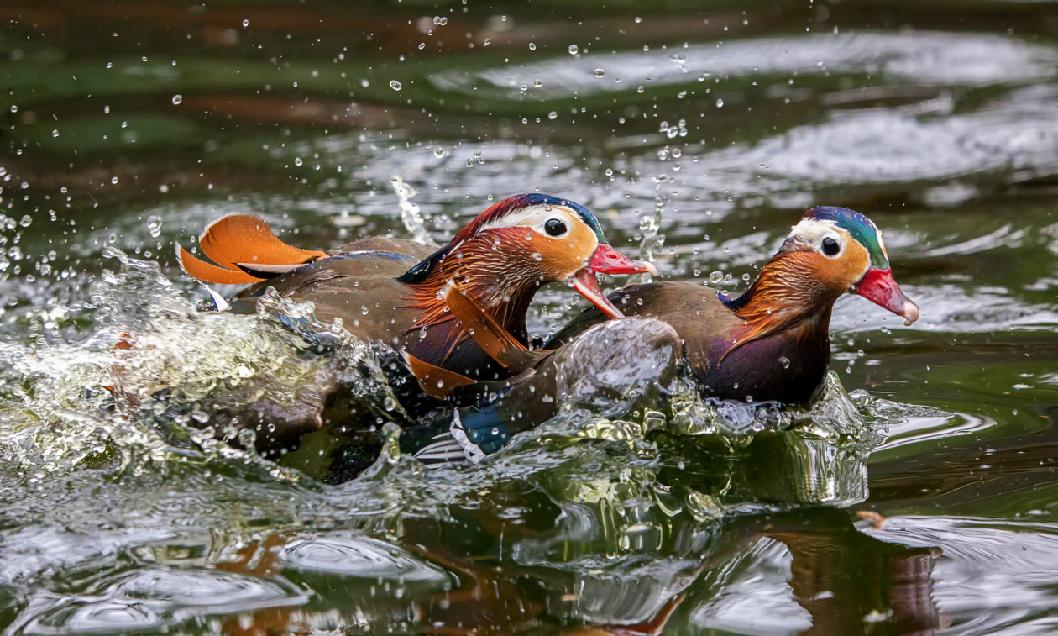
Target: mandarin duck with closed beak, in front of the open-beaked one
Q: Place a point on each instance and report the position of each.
(771, 344)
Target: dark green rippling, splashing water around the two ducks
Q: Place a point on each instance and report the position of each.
(121, 512)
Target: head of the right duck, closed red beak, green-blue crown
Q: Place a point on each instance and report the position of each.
(846, 252)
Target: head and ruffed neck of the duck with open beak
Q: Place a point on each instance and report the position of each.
(505, 255)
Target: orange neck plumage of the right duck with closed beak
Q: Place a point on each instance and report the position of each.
(787, 298)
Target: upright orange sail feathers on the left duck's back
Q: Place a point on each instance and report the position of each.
(244, 250)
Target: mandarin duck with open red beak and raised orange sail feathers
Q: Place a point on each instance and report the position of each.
(398, 292)
